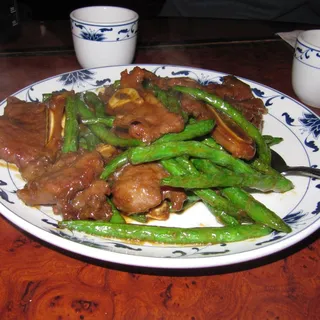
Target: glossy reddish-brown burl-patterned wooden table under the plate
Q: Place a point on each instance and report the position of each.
(40, 281)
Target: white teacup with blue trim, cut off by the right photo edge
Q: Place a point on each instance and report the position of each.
(306, 68)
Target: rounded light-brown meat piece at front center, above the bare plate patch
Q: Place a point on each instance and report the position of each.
(136, 188)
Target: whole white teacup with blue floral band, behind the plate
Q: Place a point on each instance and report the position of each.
(104, 35)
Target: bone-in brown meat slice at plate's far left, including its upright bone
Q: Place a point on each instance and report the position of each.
(30, 134)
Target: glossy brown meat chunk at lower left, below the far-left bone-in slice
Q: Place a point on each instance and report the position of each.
(64, 186)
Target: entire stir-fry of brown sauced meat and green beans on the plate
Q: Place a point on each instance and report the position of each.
(143, 148)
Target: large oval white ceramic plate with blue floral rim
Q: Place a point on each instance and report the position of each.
(299, 208)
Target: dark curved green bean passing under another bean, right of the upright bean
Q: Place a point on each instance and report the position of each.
(101, 132)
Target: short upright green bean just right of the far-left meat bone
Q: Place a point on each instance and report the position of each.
(71, 129)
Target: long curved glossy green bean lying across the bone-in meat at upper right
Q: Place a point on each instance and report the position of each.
(216, 102)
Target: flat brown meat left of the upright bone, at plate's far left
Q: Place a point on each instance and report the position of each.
(22, 131)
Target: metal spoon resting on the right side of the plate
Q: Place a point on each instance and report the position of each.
(279, 164)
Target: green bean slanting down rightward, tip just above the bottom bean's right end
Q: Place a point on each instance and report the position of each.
(255, 209)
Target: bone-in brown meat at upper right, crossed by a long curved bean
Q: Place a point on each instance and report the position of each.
(226, 132)
